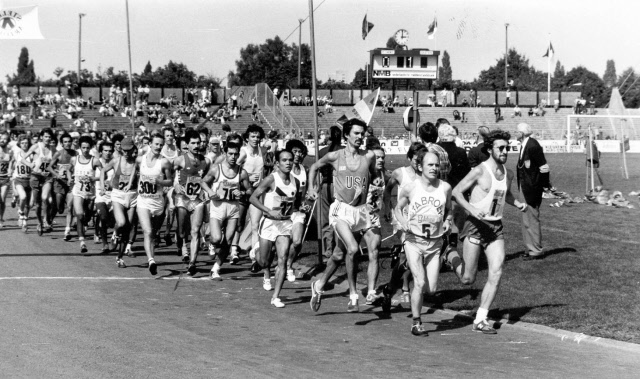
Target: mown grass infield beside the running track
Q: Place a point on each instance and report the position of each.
(589, 279)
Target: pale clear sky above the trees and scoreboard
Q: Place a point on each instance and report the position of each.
(207, 35)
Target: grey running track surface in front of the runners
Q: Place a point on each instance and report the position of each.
(66, 315)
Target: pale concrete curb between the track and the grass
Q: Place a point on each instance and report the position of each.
(563, 335)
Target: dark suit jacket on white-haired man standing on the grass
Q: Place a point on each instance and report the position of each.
(530, 180)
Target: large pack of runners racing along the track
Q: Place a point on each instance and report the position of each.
(209, 189)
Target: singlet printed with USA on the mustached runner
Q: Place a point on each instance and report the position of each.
(351, 184)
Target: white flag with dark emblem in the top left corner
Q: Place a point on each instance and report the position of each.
(20, 23)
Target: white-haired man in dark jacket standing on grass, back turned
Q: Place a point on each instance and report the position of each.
(533, 176)
